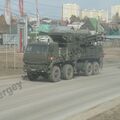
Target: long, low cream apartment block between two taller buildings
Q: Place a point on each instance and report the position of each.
(101, 14)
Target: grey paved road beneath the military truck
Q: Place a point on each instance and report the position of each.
(42, 100)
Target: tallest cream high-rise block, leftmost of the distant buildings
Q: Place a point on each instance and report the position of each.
(69, 10)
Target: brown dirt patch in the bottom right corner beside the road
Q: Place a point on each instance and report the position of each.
(113, 114)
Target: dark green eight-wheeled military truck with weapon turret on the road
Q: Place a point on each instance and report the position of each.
(61, 55)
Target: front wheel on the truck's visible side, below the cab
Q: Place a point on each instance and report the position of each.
(55, 74)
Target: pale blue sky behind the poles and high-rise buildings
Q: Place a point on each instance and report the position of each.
(53, 8)
